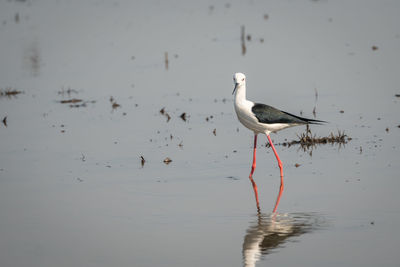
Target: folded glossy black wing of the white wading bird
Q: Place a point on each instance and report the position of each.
(268, 114)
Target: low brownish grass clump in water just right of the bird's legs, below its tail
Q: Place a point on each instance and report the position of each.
(308, 140)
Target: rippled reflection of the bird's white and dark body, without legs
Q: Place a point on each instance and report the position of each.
(269, 232)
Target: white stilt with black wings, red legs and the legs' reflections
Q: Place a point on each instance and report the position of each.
(263, 119)
